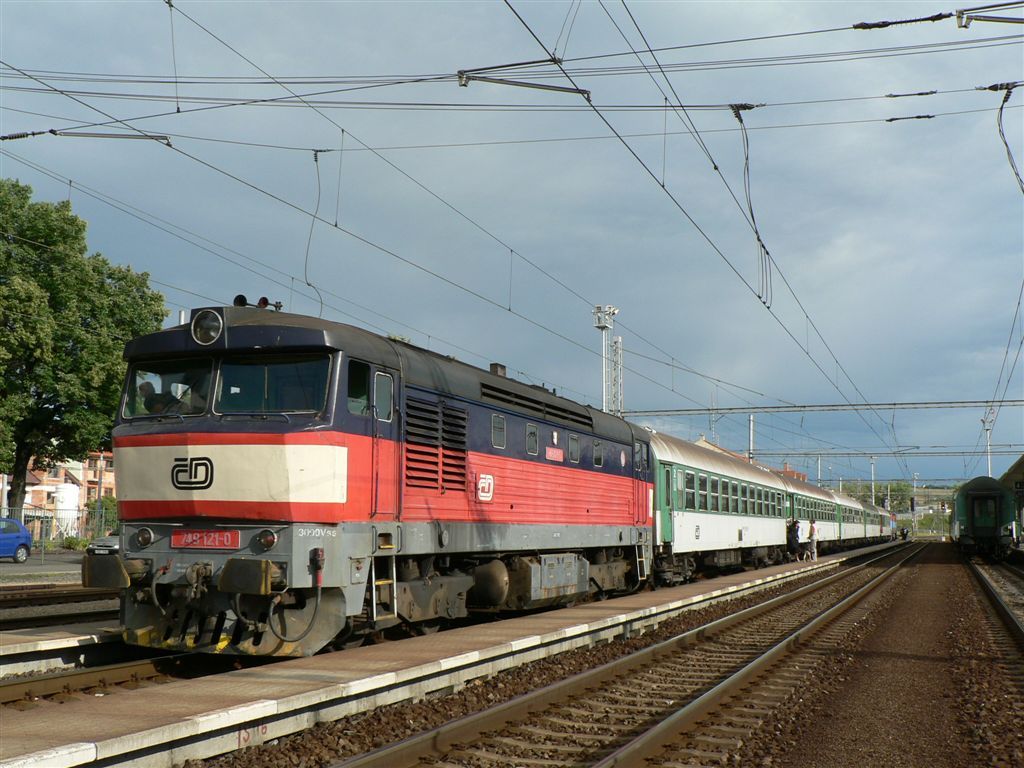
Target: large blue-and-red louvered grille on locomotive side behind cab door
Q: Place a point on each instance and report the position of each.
(436, 446)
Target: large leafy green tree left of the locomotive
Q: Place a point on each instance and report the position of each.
(65, 318)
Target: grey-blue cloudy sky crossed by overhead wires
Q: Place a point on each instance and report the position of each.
(486, 222)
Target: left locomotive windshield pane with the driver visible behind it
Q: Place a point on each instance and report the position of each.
(181, 388)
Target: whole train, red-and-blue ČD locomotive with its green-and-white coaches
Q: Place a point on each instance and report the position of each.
(288, 485)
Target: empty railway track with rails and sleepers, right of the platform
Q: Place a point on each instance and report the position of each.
(675, 704)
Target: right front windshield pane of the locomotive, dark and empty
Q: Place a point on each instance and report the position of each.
(262, 385)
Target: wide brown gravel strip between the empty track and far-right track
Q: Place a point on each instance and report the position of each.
(920, 684)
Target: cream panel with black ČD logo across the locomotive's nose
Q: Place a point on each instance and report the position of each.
(244, 474)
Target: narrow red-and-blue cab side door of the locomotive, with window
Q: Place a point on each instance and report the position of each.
(387, 448)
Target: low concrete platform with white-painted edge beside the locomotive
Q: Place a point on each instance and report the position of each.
(162, 726)
